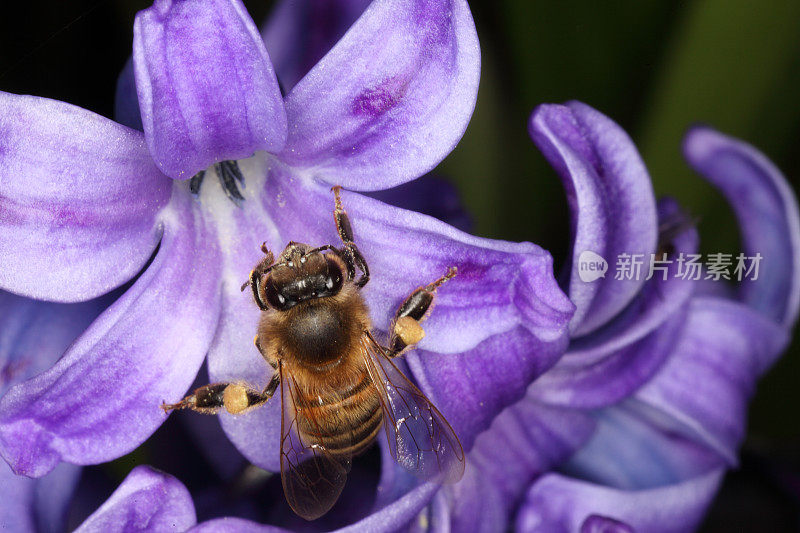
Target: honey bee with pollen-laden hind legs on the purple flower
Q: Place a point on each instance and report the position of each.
(338, 384)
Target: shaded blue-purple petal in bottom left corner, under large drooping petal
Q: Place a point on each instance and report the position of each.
(36, 504)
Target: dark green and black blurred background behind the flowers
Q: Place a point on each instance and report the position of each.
(654, 66)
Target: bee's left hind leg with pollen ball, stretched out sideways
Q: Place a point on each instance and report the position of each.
(234, 397)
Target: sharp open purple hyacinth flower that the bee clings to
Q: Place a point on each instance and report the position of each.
(222, 167)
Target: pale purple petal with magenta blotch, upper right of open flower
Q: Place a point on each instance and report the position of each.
(391, 99)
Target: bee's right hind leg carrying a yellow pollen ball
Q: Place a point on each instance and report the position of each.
(406, 329)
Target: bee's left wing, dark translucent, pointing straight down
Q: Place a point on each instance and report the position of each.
(312, 478)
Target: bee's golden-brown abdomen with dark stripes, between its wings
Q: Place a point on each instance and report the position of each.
(344, 421)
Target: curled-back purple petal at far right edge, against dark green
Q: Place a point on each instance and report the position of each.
(767, 211)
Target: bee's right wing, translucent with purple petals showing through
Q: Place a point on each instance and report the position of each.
(419, 437)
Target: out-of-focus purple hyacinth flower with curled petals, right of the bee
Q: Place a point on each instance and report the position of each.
(647, 408)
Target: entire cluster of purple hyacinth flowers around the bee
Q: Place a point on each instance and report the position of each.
(611, 405)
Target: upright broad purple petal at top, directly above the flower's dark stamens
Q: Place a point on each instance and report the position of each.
(206, 86)
